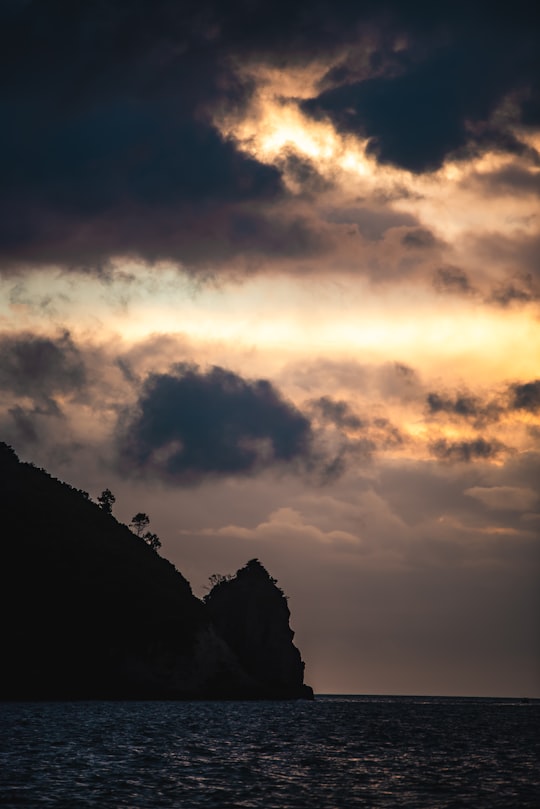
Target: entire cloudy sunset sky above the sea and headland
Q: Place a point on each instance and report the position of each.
(270, 273)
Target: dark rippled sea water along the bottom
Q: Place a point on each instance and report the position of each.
(333, 753)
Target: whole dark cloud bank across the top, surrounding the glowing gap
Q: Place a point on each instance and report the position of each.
(109, 148)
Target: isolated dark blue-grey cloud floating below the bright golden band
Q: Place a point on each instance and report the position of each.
(189, 425)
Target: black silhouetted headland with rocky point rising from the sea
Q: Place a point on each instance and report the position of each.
(90, 611)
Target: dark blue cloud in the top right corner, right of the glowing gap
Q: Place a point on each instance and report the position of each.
(437, 96)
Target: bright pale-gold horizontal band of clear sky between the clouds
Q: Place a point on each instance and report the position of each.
(296, 317)
